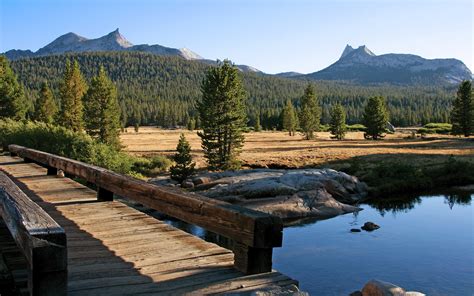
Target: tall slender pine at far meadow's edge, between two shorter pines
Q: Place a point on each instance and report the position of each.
(310, 114)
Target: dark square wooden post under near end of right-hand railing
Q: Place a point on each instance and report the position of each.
(252, 260)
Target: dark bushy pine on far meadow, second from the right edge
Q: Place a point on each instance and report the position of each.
(375, 118)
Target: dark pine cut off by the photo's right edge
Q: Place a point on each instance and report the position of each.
(462, 115)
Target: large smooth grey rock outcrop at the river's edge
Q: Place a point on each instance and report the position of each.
(289, 194)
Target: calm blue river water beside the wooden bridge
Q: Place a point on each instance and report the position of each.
(424, 243)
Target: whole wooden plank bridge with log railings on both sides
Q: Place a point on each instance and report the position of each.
(59, 237)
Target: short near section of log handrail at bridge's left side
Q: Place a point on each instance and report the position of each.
(39, 237)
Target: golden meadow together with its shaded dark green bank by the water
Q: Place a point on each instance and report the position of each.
(394, 165)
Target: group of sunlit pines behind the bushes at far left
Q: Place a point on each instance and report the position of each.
(79, 106)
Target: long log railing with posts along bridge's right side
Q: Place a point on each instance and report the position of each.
(254, 233)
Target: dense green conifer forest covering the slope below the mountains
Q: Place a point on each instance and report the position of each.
(164, 91)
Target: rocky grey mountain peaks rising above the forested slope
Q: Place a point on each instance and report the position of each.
(357, 65)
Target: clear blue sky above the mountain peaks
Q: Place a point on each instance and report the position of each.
(273, 36)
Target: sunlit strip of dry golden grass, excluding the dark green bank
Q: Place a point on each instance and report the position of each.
(277, 149)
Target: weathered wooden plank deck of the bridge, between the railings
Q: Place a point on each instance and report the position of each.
(115, 249)
